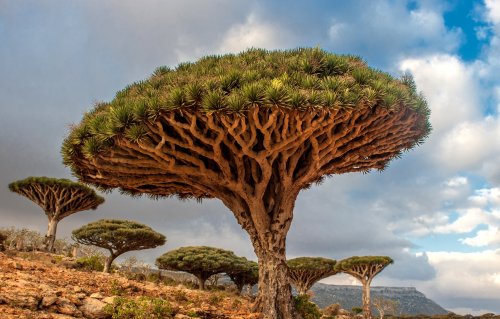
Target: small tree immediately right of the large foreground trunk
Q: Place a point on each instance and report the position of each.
(306, 271)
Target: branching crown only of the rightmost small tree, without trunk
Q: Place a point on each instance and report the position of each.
(363, 268)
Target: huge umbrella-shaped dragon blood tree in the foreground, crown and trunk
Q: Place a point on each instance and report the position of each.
(252, 130)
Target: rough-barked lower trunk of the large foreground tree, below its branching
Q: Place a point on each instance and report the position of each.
(274, 300)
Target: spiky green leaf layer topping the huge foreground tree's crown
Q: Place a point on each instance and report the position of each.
(301, 78)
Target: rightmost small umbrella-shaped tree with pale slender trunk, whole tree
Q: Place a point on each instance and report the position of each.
(364, 268)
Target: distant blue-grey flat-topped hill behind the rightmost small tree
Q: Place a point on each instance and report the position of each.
(411, 301)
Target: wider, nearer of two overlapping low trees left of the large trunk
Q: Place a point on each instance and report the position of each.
(201, 261)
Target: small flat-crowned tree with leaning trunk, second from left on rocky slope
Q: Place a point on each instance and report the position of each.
(118, 236)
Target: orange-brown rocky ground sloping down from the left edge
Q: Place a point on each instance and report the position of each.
(38, 285)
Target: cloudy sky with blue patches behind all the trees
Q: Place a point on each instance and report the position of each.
(435, 211)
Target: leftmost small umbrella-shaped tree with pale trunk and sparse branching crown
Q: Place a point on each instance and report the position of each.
(58, 198)
